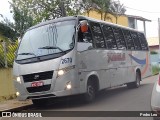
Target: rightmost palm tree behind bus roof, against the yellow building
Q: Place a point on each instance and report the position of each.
(117, 9)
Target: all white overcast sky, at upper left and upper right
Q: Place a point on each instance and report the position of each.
(146, 8)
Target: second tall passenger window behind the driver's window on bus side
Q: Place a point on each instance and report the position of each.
(109, 37)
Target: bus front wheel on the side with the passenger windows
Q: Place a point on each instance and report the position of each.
(91, 92)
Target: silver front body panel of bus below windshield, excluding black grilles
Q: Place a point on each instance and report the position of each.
(57, 84)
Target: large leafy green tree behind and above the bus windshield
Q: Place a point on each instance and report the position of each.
(27, 13)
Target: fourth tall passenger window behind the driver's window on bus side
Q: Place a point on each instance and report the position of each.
(129, 40)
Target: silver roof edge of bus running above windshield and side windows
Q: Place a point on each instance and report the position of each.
(81, 17)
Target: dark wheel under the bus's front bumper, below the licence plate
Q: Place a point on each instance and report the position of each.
(39, 102)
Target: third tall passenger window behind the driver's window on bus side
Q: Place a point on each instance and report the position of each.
(119, 38)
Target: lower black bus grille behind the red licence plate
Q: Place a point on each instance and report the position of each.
(39, 89)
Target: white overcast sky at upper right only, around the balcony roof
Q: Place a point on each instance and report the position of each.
(149, 9)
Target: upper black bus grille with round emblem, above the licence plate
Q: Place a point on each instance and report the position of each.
(38, 76)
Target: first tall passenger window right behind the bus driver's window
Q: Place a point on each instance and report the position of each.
(97, 35)
